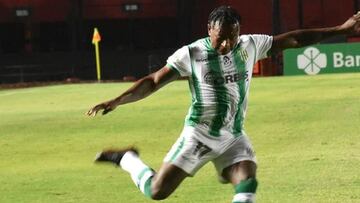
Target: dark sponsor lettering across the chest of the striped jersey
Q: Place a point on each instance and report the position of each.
(215, 78)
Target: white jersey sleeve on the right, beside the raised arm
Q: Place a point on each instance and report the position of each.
(263, 44)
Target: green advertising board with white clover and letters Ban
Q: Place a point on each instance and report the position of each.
(322, 59)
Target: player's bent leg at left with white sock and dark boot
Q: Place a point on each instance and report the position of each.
(156, 186)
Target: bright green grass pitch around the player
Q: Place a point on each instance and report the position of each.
(305, 131)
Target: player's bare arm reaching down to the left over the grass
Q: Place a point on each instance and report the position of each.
(141, 89)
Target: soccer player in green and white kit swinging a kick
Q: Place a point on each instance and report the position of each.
(219, 69)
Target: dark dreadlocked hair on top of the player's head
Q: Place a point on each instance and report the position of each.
(224, 15)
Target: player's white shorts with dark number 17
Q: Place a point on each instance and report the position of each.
(194, 148)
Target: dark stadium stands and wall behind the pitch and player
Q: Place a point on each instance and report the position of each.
(54, 41)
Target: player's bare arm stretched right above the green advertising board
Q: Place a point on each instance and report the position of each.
(305, 37)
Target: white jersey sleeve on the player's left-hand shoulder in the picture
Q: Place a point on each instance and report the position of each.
(180, 61)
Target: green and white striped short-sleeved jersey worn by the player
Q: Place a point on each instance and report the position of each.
(219, 83)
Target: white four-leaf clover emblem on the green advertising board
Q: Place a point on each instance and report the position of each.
(312, 61)
